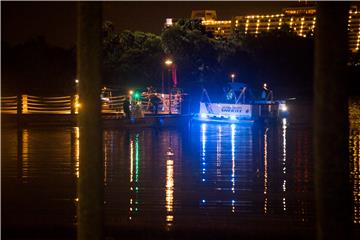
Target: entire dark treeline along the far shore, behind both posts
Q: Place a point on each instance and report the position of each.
(280, 58)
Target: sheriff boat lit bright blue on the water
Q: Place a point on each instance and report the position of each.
(241, 111)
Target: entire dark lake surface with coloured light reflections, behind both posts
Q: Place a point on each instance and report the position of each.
(205, 176)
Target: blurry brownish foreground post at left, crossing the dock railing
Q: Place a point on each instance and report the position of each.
(90, 185)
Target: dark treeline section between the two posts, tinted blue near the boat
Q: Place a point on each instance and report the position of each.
(280, 58)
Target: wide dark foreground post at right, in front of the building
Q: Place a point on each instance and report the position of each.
(333, 193)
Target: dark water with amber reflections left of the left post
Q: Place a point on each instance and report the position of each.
(37, 177)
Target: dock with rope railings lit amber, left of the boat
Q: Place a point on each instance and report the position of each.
(27, 110)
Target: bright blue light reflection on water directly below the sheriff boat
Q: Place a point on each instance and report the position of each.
(226, 168)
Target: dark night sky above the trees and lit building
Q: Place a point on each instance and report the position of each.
(57, 20)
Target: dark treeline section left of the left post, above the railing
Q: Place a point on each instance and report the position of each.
(35, 67)
